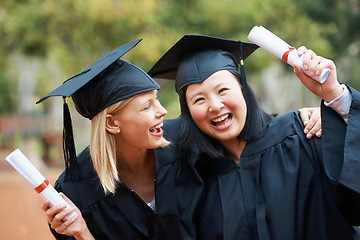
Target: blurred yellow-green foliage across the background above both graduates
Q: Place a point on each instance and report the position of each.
(74, 34)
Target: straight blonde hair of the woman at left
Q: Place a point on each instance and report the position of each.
(103, 148)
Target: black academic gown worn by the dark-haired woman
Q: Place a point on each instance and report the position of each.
(286, 186)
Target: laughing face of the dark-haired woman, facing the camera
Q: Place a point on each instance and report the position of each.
(217, 106)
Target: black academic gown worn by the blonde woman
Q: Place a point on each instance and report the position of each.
(124, 215)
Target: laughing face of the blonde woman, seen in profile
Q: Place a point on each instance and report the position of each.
(140, 122)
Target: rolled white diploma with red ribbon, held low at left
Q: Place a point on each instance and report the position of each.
(40, 184)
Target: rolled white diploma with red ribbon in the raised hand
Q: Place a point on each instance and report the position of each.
(278, 47)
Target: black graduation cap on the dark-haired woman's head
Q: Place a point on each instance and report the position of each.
(195, 57)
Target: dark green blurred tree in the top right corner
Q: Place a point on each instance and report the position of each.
(345, 41)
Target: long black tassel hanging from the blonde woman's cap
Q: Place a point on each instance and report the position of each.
(72, 171)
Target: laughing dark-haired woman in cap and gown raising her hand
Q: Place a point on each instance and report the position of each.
(263, 178)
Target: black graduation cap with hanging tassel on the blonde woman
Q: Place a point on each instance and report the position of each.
(103, 83)
